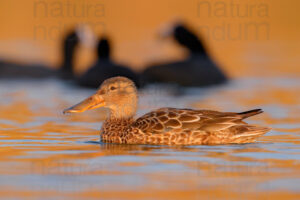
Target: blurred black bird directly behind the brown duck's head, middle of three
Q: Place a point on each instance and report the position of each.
(105, 68)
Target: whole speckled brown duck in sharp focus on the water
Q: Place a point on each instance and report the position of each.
(164, 126)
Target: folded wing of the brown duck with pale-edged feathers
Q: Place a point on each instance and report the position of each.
(167, 119)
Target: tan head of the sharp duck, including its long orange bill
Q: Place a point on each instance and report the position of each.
(118, 94)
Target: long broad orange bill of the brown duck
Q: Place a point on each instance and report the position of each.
(94, 101)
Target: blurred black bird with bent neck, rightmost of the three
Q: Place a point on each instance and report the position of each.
(198, 70)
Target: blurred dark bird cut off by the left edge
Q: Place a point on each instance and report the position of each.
(34, 71)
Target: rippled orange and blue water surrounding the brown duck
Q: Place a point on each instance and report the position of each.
(44, 154)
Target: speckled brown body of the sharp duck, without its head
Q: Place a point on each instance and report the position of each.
(171, 126)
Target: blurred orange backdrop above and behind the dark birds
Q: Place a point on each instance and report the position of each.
(247, 38)
